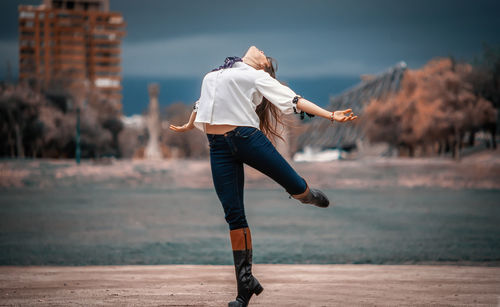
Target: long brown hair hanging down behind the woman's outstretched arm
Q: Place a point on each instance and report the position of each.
(269, 115)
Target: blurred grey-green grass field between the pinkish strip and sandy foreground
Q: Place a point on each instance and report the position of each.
(93, 225)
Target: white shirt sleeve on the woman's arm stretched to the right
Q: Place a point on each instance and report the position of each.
(278, 94)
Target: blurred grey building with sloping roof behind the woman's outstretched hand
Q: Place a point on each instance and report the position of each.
(321, 134)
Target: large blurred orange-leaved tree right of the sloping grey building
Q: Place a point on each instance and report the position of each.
(431, 113)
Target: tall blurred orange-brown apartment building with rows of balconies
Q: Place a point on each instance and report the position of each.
(73, 44)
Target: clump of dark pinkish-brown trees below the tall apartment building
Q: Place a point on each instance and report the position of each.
(42, 124)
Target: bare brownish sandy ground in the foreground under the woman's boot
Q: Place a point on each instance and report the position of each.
(285, 285)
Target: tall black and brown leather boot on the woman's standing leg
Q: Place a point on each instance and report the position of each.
(241, 242)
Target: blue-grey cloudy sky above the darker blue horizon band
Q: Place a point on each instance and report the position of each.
(308, 38)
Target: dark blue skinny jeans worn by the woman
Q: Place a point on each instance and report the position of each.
(246, 145)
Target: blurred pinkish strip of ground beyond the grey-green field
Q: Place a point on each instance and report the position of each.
(480, 170)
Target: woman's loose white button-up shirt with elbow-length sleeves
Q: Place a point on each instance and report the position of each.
(229, 96)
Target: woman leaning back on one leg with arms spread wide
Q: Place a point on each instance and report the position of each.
(241, 102)
